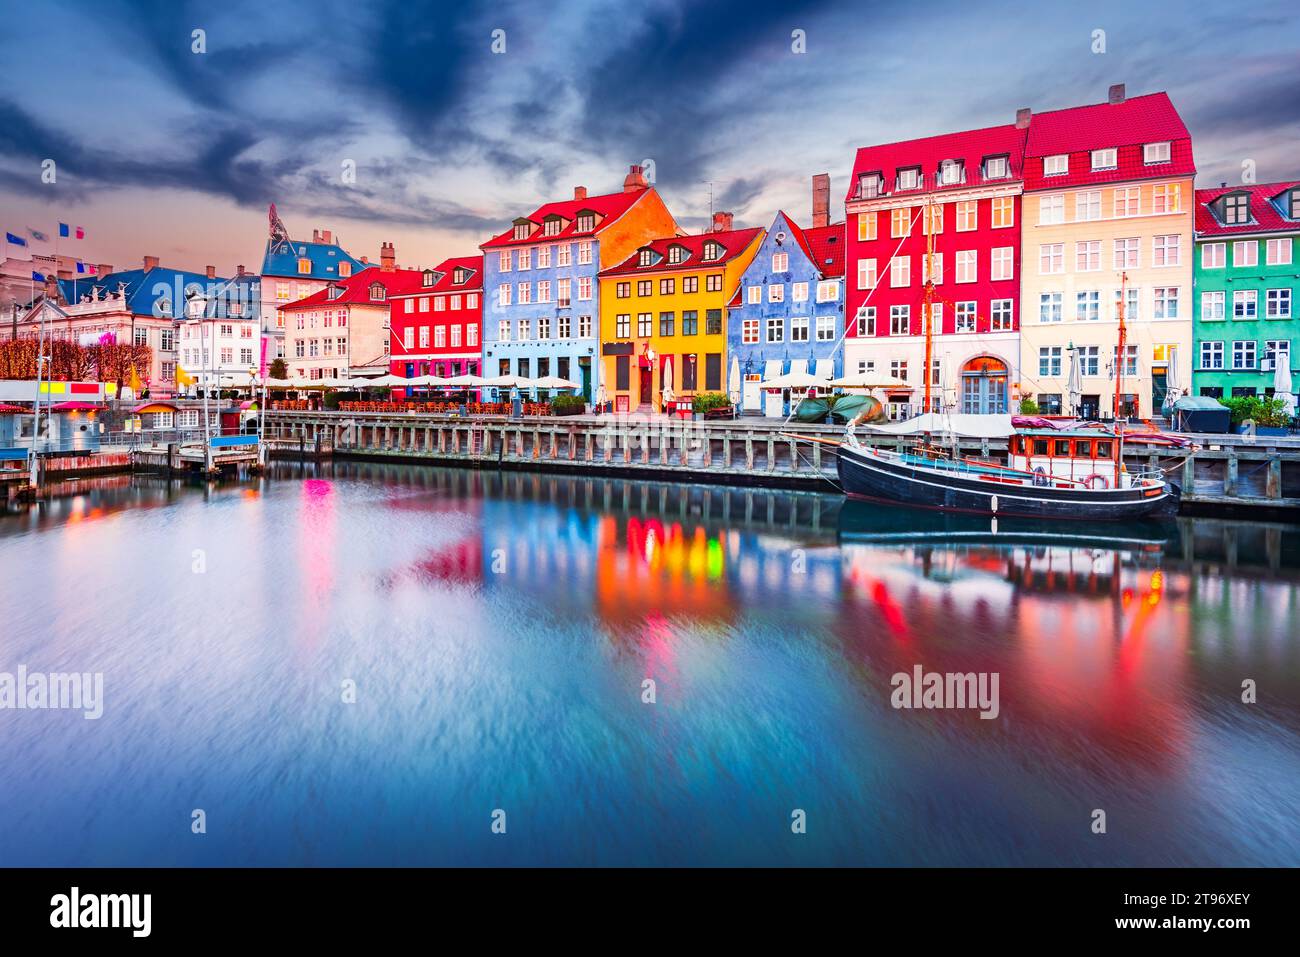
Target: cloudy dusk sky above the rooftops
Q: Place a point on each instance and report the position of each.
(434, 125)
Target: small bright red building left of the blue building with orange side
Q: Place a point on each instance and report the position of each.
(436, 328)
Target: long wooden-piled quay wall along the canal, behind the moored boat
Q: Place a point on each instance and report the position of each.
(1228, 474)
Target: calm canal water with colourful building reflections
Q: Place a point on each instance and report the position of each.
(361, 664)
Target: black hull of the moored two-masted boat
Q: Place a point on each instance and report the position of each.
(874, 478)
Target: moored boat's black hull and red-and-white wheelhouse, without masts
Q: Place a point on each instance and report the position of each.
(1051, 474)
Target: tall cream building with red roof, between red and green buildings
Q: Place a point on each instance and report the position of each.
(1108, 206)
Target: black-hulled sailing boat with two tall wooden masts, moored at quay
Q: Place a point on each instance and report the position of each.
(1076, 473)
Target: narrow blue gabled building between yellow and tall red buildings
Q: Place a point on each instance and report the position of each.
(788, 313)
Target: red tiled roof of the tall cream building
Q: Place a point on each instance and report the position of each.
(1125, 127)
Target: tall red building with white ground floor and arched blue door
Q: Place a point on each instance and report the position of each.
(976, 181)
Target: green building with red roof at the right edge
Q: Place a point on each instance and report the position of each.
(1246, 280)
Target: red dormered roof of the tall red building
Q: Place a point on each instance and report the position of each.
(970, 148)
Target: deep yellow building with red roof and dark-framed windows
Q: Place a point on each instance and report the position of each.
(664, 315)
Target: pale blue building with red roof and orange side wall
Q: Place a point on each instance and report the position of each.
(541, 305)
